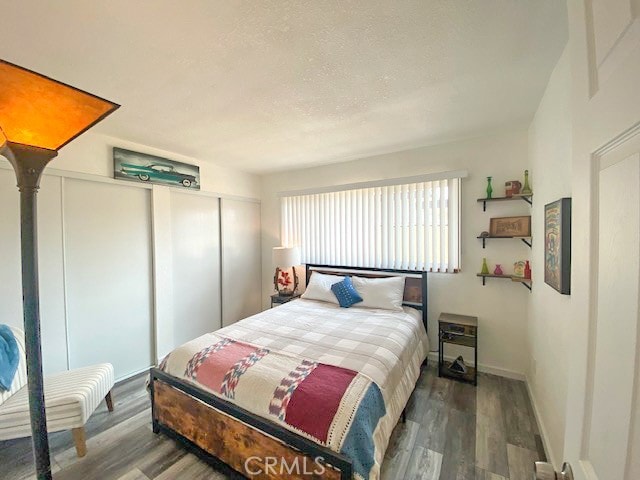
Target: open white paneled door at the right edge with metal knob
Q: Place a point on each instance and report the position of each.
(602, 438)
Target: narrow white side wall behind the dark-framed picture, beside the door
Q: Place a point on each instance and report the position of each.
(550, 152)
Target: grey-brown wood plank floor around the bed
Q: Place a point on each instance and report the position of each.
(453, 431)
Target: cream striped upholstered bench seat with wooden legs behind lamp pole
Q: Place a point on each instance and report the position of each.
(70, 398)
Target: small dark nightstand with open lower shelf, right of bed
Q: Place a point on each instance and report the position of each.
(458, 330)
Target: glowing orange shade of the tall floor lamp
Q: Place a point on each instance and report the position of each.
(40, 112)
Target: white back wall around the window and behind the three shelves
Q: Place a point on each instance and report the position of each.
(501, 305)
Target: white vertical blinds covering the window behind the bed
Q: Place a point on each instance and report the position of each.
(413, 226)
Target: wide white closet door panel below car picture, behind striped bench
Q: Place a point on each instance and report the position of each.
(108, 253)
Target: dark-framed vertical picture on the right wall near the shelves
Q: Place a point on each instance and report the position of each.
(557, 245)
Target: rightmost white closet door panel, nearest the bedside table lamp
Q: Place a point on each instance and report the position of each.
(241, 260)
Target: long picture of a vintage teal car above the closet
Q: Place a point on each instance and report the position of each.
(140, 167)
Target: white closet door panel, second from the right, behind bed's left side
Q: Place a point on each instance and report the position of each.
(195, 239)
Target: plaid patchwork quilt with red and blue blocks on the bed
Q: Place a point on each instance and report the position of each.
(341, 382)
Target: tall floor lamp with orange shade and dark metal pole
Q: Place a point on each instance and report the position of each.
(38, 116)
